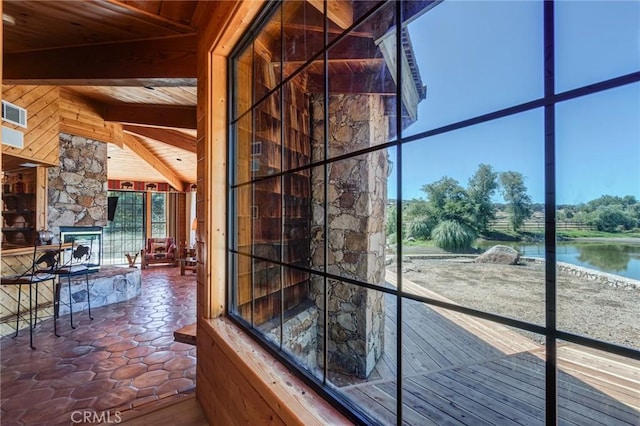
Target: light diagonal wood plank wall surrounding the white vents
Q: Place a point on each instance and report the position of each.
(41, 137)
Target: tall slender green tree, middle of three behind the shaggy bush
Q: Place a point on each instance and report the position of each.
(482, 186)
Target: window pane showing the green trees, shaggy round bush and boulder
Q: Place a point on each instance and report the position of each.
(467, 195)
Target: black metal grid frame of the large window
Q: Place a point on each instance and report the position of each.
(548, 102)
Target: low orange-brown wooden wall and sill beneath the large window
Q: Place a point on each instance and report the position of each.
(246, 386)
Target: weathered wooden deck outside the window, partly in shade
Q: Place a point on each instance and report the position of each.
(462, 370)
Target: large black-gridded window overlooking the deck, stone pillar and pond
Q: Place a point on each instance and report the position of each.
(435, 206)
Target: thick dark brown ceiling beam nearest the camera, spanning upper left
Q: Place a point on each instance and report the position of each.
(166, 58)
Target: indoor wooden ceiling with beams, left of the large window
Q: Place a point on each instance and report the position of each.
(136, 58)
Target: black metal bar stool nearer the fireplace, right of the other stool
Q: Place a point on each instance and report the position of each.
(74, 266)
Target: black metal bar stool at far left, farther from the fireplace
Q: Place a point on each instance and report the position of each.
(43, 264)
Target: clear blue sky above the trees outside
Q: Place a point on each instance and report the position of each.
(479, 56)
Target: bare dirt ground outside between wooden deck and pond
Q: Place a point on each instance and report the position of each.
(584, 307)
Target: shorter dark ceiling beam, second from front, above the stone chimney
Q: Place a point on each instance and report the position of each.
(182, 117)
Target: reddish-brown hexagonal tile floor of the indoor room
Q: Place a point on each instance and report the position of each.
(125, 357)
